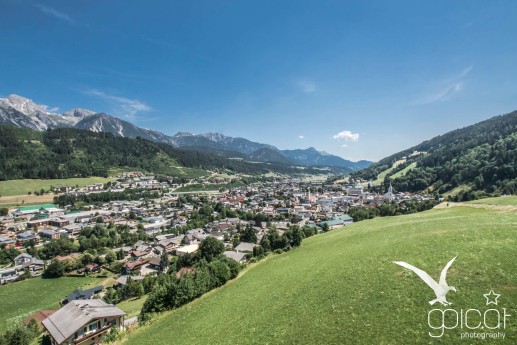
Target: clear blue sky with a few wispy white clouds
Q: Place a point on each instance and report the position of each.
(360, 79)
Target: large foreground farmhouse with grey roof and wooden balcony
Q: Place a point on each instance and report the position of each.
(83, 322)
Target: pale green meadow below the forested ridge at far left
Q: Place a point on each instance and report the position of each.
(21, 187)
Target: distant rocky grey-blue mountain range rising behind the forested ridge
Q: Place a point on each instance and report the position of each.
(22, 112)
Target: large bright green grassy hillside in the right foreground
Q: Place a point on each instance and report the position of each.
(343, 288)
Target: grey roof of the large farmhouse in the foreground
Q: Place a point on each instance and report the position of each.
(67, 320)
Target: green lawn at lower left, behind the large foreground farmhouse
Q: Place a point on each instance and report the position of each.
(21, 299)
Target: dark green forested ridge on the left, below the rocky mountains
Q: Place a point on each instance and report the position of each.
(67, 152)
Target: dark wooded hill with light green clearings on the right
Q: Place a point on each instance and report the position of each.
(467, 162)
